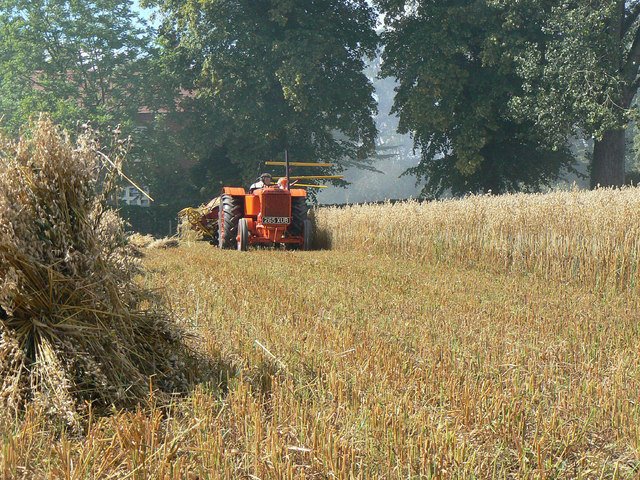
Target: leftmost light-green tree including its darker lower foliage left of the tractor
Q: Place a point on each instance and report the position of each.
(92, 62)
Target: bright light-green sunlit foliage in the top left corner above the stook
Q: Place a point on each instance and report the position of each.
(78, 61)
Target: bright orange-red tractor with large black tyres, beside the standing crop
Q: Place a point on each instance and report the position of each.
(269, 216)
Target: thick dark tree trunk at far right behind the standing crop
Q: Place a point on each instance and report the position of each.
(607, 169)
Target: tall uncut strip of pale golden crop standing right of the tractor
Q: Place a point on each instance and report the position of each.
(589, 236)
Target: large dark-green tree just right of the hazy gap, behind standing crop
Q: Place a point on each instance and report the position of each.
(454, 91)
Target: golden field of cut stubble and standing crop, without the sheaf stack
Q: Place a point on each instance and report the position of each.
(493, 337)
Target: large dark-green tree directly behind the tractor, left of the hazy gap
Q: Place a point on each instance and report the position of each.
(270, 75)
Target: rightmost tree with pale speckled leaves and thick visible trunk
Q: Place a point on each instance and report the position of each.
(580, 62)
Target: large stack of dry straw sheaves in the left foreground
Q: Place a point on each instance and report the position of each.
(74, 325)
